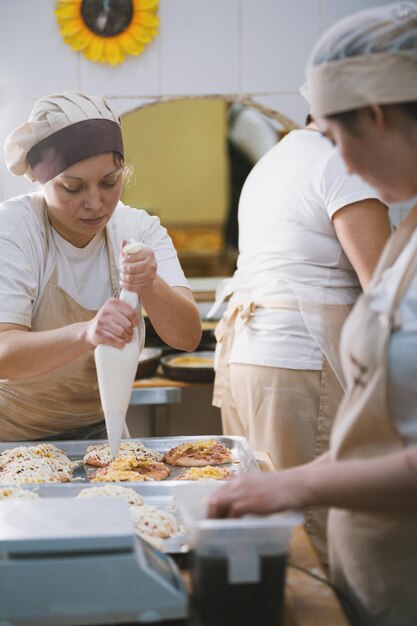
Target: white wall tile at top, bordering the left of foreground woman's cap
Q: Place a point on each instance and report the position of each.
(277, 38)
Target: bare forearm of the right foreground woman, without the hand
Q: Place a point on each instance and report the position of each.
(386, 483)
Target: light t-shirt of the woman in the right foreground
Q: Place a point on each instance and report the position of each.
(402, 348)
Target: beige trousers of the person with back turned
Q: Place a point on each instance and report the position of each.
(287, 412)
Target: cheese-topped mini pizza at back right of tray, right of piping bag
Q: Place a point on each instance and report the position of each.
(199, 453)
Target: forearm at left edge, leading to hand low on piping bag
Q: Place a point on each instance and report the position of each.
(25, 354)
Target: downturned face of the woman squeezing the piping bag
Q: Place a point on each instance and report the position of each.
(81, 200)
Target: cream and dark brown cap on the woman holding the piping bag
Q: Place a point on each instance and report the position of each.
(62, 129)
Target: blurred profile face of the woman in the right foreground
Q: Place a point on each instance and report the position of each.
(383, 152)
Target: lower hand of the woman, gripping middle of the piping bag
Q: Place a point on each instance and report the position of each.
(113, 324)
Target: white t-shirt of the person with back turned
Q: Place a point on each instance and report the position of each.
(288, 248)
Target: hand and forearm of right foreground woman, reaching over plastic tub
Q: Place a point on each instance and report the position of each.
(383, 484)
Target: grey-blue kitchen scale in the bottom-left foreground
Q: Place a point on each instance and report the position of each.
(66, 562)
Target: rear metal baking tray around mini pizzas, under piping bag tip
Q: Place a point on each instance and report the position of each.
(243, 458)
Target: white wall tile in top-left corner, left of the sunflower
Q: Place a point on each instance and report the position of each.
(34, 60)
